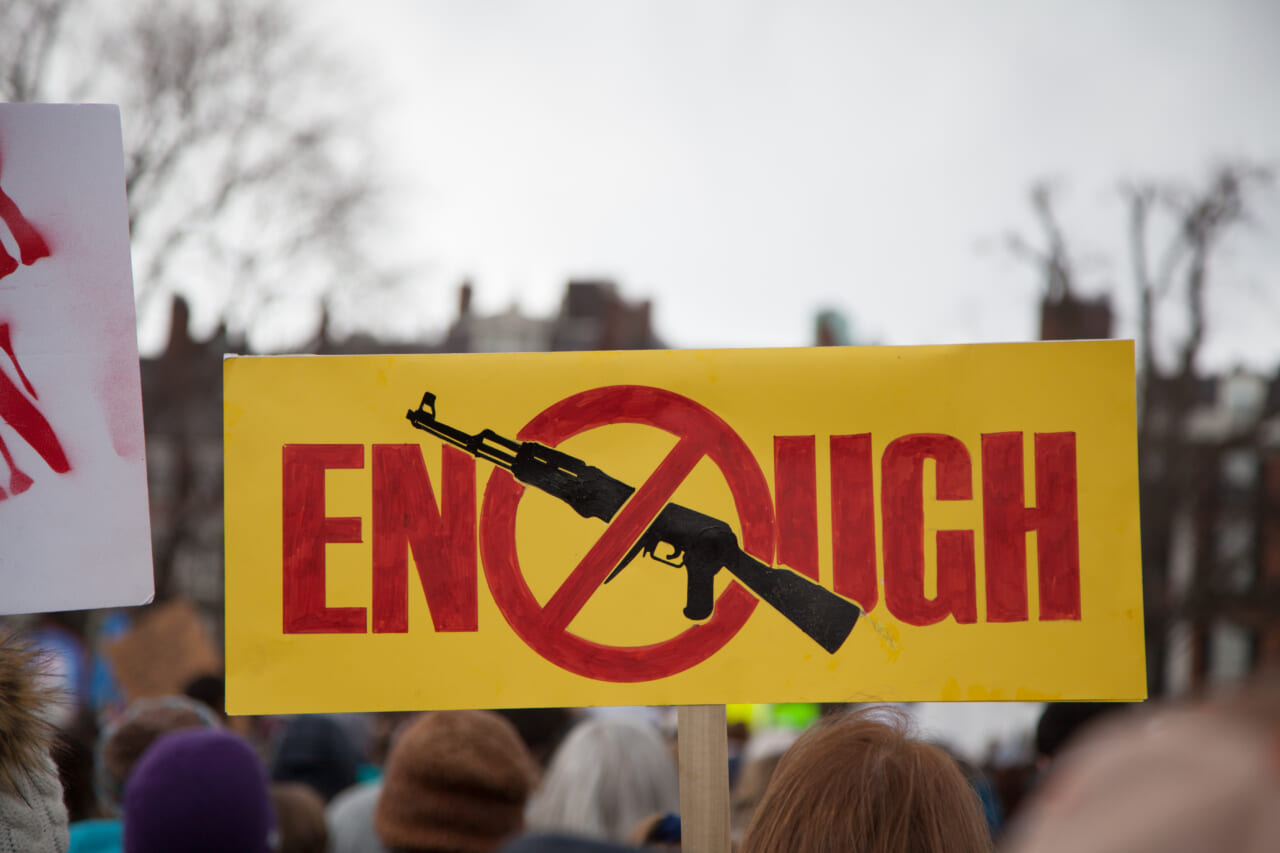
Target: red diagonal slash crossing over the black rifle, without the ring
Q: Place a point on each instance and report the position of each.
(628, 526)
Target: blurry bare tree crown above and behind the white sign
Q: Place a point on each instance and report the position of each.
(245, 167)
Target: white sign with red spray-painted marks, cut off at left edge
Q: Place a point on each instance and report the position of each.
(75, 531)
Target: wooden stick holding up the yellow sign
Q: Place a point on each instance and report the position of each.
(703, 779)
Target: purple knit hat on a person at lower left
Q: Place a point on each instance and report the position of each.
(199, 791)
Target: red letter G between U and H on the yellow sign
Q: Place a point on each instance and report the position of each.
(903, 483)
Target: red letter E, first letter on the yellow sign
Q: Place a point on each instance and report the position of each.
(307, 531)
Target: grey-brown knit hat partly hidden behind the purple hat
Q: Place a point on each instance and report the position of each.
(124, 742)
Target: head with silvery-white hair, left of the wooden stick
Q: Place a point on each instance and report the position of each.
(611, 773)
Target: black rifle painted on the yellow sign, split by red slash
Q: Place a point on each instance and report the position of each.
(700, 544)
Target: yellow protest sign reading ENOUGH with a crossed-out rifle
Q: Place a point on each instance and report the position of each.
(683, 527)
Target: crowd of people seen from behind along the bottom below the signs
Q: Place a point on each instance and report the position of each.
(175, 774)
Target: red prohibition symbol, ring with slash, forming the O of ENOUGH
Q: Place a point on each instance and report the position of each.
(545, 628)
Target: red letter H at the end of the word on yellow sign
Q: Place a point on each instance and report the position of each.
(1007, 519)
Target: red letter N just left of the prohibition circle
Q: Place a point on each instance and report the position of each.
(441, 537)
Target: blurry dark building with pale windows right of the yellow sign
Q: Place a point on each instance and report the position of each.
(1212, 535)
